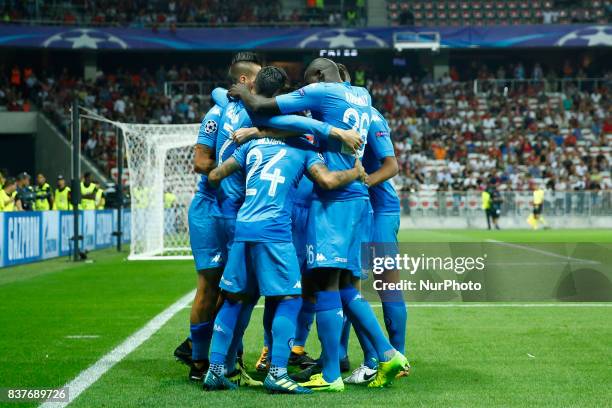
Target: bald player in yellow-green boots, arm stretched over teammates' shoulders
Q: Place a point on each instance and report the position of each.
(335, 222)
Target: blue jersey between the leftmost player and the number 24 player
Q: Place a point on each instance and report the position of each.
(231, 191)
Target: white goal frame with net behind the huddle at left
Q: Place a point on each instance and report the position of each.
(162, 183)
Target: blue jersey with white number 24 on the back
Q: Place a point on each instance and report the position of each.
(273, 170)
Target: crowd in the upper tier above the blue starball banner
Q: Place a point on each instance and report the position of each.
(173, 14)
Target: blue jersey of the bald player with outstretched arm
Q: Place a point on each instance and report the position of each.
(343, 106)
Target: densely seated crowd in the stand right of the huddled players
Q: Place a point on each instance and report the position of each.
(448, 138)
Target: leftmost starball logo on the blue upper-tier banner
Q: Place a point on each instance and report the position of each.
(85, 38)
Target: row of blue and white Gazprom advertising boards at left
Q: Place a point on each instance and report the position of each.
(33, 236)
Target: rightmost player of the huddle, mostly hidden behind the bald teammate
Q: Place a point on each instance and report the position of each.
(381, 165)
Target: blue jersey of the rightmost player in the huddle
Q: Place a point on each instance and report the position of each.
(383, 197)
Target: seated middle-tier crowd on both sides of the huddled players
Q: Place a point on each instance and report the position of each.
(446, 137)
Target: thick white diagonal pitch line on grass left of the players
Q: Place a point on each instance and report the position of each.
(92, 374)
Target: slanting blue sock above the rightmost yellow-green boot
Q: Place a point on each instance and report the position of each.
(363, 318)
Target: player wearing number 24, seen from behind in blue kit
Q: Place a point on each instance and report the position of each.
(262, 259)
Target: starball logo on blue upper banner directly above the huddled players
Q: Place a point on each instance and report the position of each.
(342, 38)
